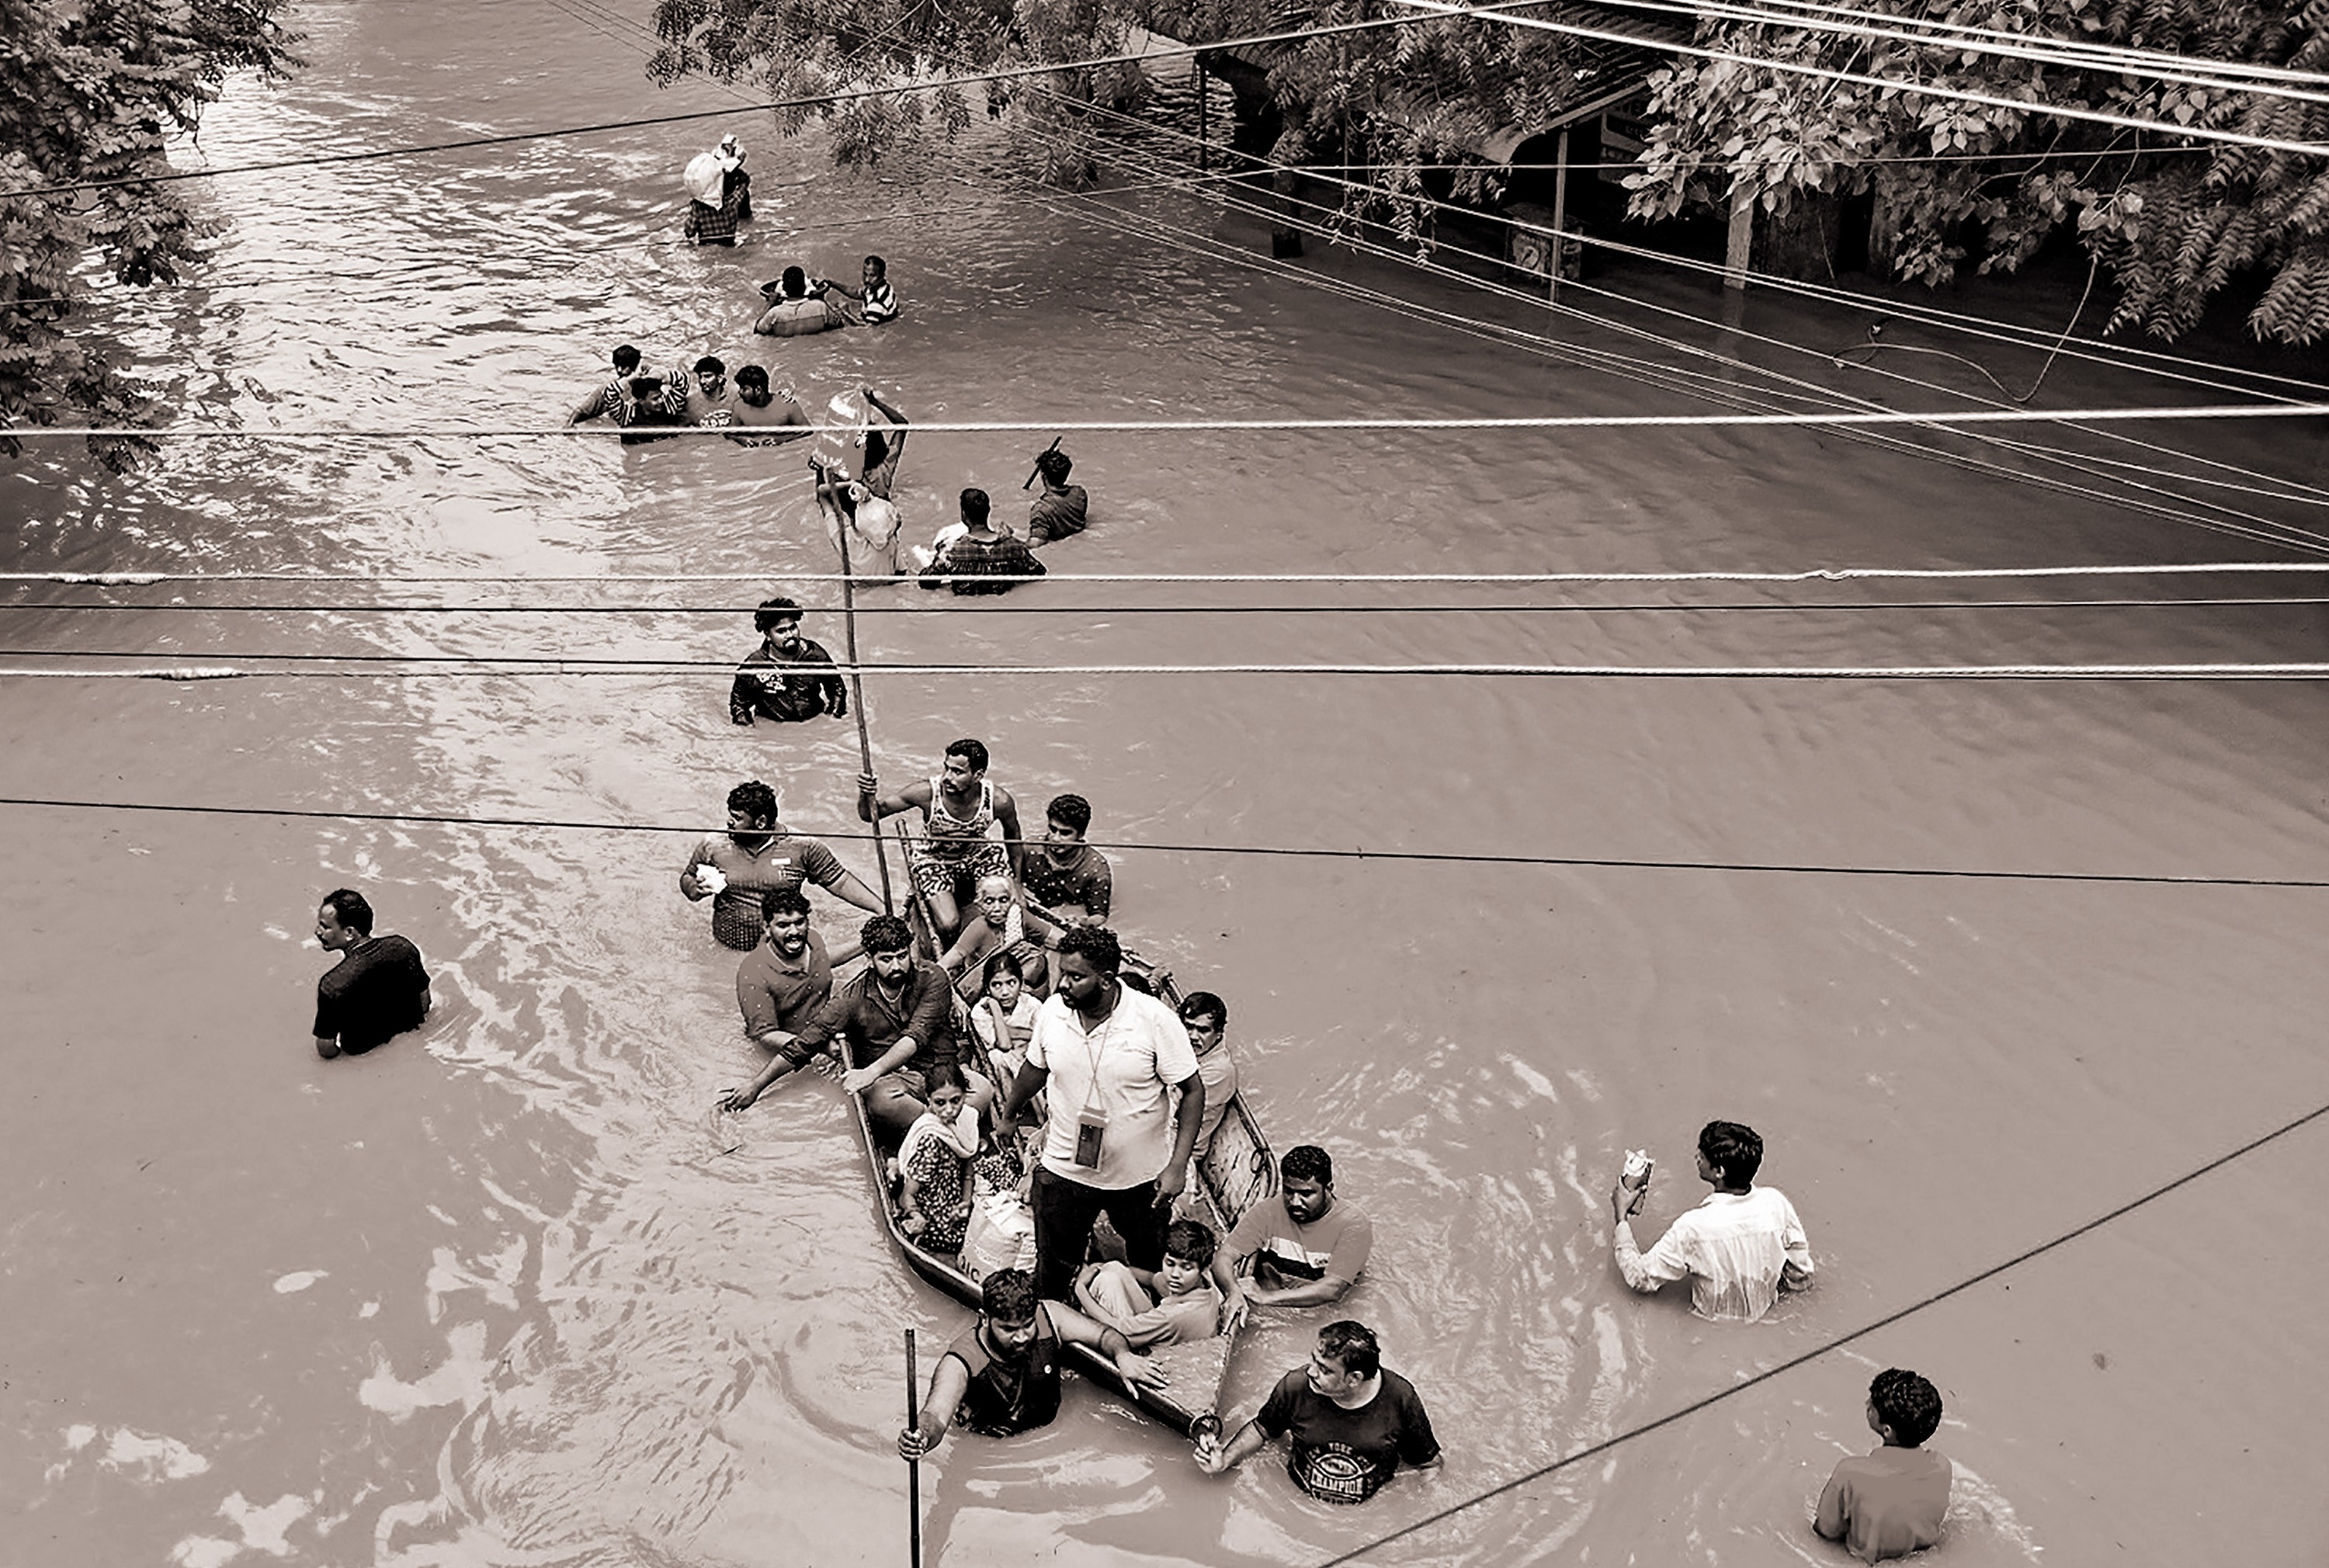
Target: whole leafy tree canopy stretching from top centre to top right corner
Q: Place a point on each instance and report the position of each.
(2176, 223)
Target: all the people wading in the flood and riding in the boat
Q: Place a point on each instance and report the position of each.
(1031, 980)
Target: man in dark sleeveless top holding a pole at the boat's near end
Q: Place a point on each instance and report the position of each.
(1005, 1376)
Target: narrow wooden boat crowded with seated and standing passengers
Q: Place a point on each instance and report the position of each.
(1236, 1173)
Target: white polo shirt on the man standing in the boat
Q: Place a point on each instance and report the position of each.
(1124, 1068)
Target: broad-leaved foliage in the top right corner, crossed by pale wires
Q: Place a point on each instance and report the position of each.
(2176, 223)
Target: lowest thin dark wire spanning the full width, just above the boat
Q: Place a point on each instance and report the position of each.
(1268, 852)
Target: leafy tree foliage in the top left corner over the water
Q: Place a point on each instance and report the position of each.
(94, 90)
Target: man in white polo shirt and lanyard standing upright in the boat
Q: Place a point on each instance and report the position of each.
(1114, 1064)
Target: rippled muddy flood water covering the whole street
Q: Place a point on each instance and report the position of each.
(495, 1297)
